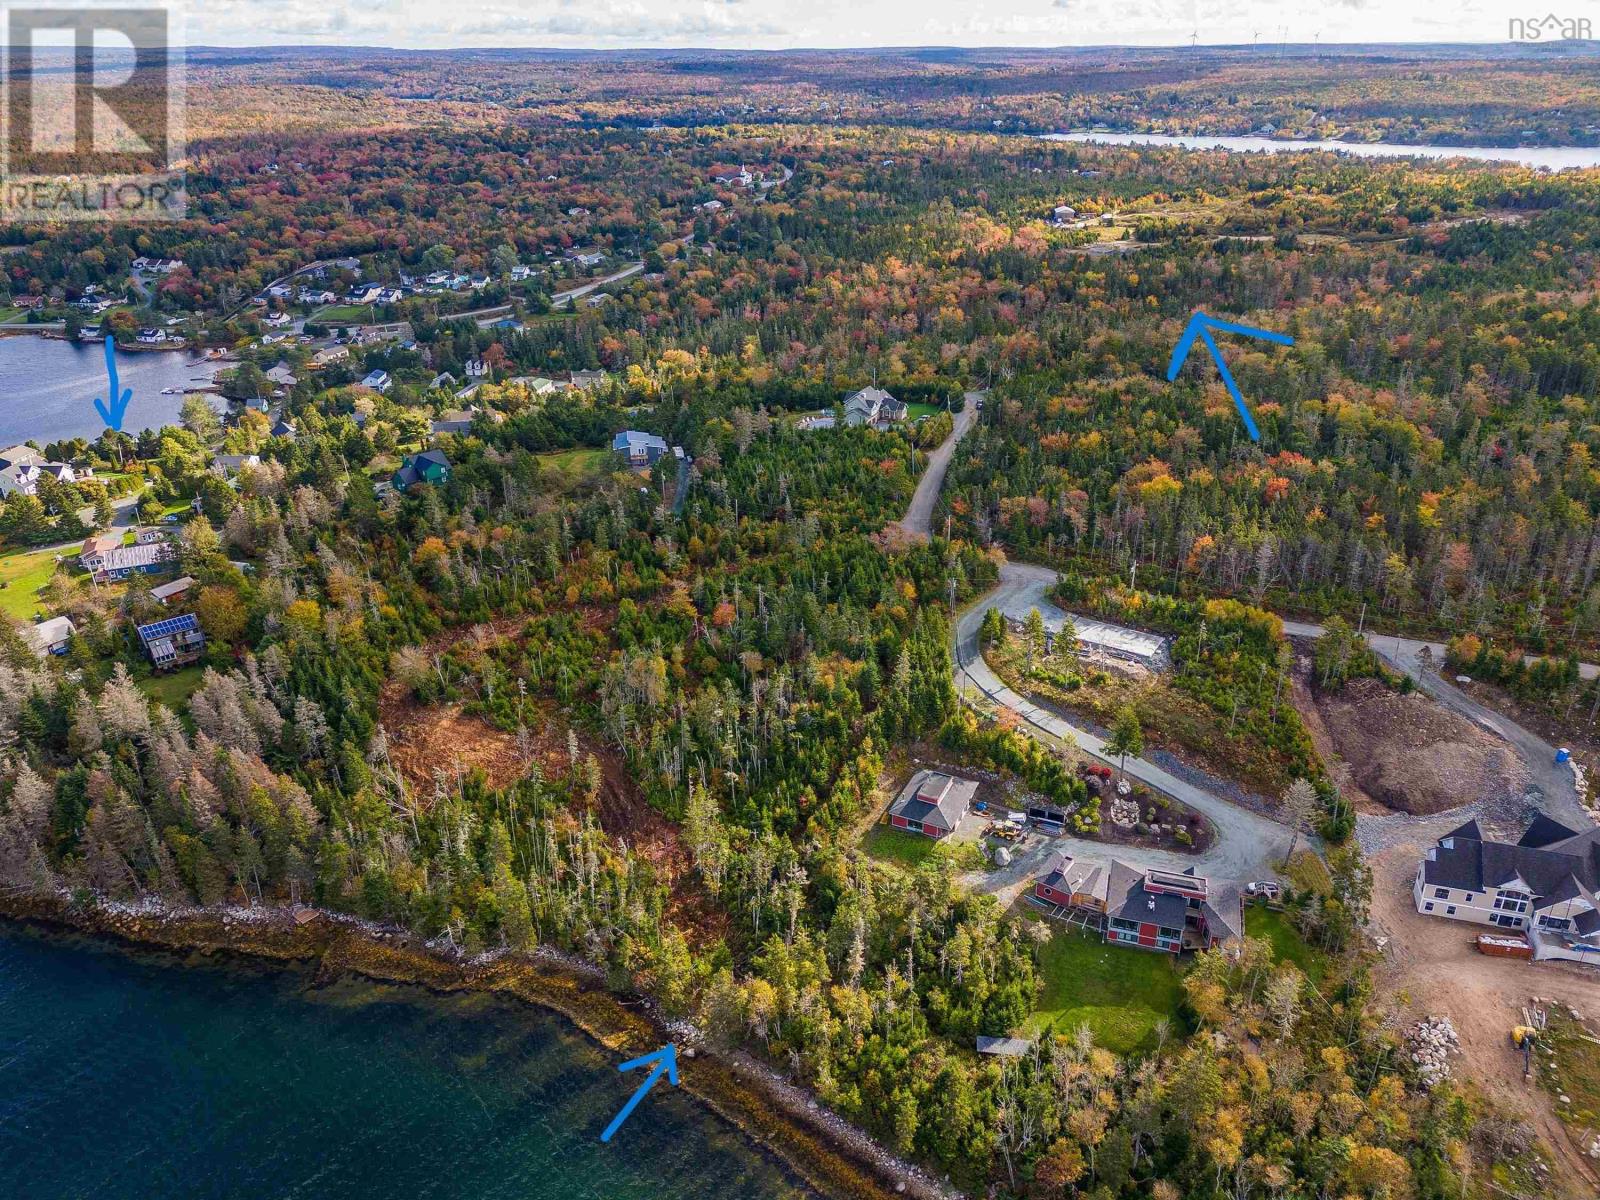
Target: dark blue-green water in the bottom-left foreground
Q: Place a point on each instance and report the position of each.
(127, 1076)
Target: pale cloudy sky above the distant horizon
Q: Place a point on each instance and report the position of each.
(786, 25)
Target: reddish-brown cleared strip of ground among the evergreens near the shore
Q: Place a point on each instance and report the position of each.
(447, 738)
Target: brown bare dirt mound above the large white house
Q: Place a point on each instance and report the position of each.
(1410, 754)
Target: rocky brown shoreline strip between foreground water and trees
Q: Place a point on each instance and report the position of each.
(831, 1156)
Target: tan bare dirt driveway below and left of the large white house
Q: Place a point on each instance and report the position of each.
(1436, 969)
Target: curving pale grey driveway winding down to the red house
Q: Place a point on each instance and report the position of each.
(1247, 844)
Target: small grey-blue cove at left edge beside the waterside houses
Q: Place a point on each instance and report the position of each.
(49, 388)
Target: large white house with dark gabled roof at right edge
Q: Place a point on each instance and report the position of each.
(1546, 886)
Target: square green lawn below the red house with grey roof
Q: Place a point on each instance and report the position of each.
(1116, 991)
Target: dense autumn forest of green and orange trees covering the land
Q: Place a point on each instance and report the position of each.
(700, 681)
